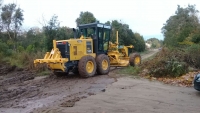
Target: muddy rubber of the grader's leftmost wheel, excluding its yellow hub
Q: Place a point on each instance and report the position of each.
(82, 66)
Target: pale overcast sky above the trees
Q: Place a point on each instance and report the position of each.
(143, 16)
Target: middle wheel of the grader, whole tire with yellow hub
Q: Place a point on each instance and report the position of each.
(103, 64)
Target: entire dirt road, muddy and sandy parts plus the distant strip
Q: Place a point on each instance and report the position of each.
(22, 92)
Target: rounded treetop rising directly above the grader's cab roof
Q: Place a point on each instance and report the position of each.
(85, 18)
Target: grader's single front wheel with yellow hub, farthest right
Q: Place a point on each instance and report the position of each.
(135, 59)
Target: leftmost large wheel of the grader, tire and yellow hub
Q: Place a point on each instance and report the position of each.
(87, 66)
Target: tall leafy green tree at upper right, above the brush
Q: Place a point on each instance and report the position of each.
(180, 26)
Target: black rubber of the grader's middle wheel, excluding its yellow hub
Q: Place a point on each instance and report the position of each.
(99, 60)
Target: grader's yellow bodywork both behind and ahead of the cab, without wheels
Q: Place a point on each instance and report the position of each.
(118, 55)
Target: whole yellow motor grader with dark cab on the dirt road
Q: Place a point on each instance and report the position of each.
(92, 52)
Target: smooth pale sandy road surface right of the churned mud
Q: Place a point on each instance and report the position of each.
(129, 95)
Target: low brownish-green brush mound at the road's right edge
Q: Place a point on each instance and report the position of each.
(173, 62)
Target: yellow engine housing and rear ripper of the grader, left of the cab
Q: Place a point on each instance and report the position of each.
(77, 48)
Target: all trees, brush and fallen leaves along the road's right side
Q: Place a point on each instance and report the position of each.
(178, 60)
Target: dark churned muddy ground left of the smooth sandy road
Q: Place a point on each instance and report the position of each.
(41, 92)
